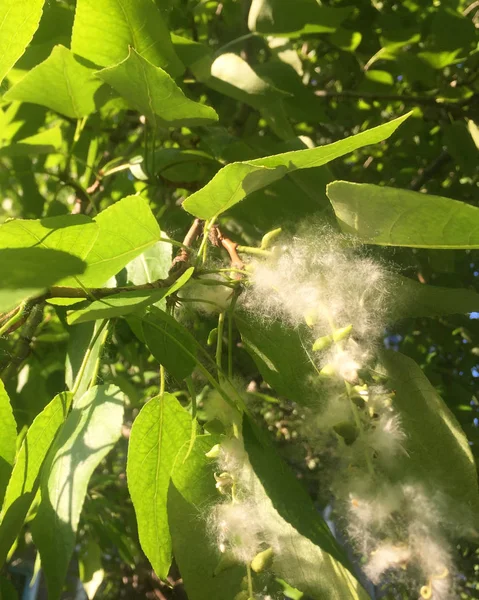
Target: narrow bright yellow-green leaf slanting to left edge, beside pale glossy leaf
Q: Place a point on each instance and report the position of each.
(22, 486)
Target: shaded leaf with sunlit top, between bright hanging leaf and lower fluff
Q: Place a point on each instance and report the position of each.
(191, 492)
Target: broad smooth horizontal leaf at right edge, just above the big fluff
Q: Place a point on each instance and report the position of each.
(393, 217)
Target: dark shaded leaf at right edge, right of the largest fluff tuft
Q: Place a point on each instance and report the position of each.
(414, 299)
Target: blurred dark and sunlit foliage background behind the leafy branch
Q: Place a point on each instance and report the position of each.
(321, 71)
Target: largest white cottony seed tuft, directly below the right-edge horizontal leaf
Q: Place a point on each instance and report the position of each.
(324, 278)
